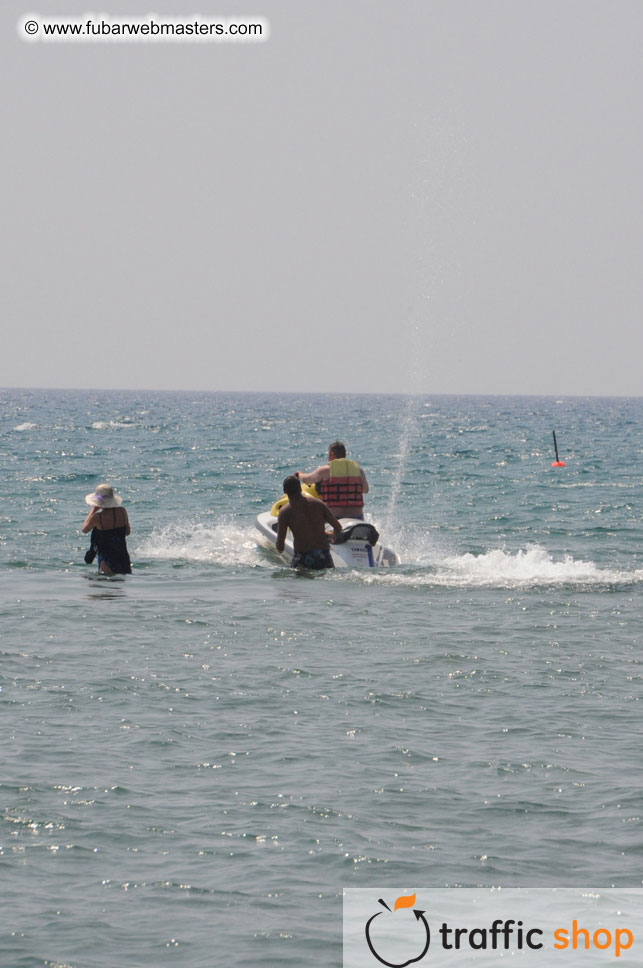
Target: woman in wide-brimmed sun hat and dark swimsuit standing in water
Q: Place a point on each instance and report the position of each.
(109, 525)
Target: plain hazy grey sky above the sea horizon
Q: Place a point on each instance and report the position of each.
(401, 196)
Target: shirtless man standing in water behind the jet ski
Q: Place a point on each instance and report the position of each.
(306, 517)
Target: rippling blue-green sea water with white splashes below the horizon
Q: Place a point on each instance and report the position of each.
(196, 759)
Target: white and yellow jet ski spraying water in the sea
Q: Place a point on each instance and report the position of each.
(358, 546)
